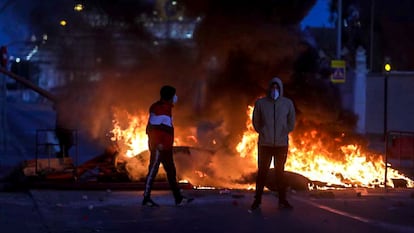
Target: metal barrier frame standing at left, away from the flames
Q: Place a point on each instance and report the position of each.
(47, 144)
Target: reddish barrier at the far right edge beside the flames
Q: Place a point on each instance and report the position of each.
(399, 151)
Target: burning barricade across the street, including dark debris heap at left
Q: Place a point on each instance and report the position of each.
(316, 160)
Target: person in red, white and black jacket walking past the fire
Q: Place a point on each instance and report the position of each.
(160, 133)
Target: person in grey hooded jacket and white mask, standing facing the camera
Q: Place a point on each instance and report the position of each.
(273, 119)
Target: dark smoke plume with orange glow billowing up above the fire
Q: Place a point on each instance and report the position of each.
(238, 47)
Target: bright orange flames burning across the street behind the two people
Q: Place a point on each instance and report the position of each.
(331, 163)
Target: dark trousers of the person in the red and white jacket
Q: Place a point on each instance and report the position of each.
(166, 158)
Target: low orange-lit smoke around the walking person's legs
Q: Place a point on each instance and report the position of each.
(200, 166)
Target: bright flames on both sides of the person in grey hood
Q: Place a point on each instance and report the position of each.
(349, 166)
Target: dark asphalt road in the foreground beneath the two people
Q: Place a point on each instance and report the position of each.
(212, 211)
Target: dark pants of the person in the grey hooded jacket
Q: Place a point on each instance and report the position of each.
(265, 155)
